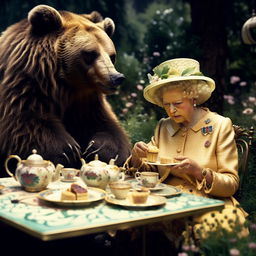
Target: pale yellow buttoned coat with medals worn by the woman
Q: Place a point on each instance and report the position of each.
(214, 149)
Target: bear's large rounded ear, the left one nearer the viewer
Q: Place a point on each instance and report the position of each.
(44, 19)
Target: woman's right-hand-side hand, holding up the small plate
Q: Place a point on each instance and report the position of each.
(189, 167)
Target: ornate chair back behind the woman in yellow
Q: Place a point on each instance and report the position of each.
(243, 137)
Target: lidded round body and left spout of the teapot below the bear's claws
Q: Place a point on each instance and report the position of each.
(95, 173)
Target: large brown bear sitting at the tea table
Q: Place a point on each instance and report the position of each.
(56, 68)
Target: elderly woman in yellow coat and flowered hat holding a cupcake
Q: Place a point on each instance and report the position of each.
(202, 142)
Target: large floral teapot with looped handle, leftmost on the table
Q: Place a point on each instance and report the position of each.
(35, 173)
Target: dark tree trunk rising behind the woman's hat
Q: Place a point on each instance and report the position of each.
(209, 24)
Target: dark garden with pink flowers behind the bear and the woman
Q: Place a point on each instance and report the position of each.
(151, 31)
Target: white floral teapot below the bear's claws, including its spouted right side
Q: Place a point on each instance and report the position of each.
(98, 174)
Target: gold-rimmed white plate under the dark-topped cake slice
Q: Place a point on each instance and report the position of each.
(54, 195)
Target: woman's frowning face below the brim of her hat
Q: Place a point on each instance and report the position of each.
(178, 108)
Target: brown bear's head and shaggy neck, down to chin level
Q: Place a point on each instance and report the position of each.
(53, 47)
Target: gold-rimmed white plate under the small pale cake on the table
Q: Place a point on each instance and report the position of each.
(153, 200)
